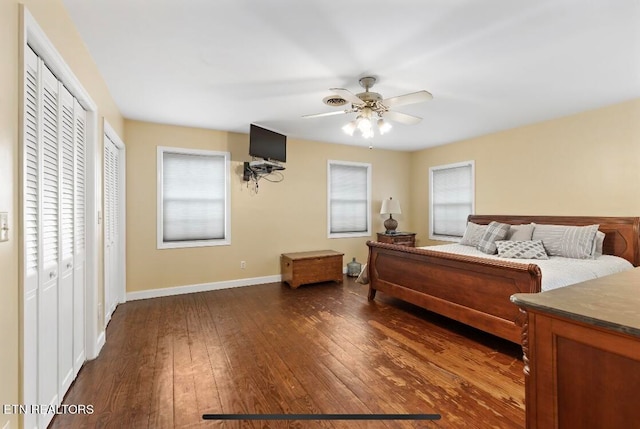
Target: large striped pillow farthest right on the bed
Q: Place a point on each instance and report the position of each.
(567, 241)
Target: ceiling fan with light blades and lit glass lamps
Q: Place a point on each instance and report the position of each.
(368, 105)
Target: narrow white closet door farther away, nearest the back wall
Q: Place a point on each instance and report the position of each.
(111, 226)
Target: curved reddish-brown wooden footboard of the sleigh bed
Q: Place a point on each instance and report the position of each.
(470, 290)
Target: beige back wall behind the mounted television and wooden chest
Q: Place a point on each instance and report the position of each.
(281, 217)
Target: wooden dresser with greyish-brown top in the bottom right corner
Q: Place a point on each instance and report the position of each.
(581, 347)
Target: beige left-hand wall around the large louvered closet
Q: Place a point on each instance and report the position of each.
(54, 20)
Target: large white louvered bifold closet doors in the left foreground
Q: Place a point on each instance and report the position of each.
(53, 198)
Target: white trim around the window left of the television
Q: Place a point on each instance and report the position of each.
(227, 194)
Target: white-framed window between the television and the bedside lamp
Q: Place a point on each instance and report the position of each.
(349, 194)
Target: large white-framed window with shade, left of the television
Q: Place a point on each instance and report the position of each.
(193, 198)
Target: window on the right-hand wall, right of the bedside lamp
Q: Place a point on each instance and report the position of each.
(451, 200)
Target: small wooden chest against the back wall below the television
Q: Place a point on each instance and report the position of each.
(311, 267)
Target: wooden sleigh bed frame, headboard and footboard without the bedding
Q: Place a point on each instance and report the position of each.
(477, 291)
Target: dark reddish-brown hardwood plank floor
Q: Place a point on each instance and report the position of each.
(268, 349)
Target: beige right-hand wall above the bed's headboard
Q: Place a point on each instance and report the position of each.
(584, 164)
